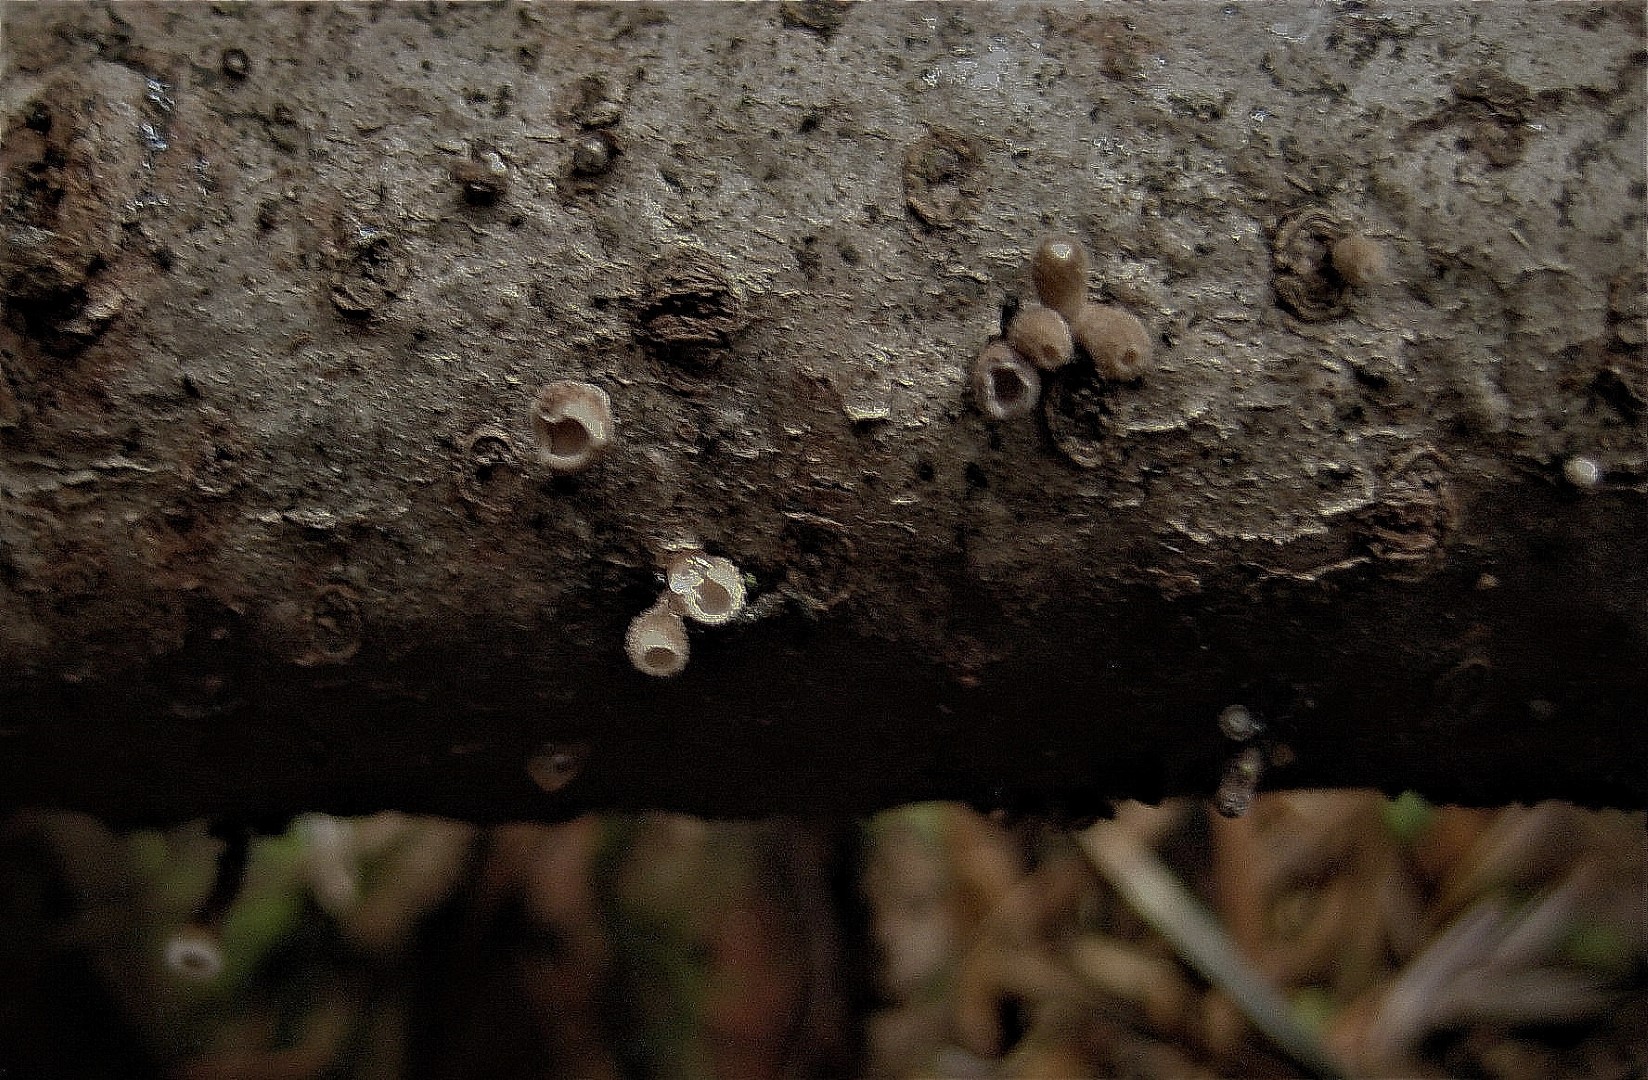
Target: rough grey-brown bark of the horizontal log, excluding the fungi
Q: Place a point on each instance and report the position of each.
(283, 283)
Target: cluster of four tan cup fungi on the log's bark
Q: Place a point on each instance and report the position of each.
(1047, 336)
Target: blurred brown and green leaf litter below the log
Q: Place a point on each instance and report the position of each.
(1349, 932)
